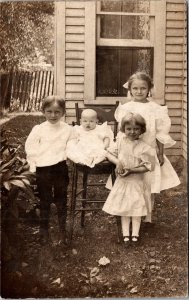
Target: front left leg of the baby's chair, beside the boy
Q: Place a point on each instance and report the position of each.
(73, 201)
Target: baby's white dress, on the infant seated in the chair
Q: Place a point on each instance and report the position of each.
(87, 147)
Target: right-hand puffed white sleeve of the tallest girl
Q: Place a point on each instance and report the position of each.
(163, 125)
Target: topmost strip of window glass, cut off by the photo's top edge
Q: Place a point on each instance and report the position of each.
(136, 6)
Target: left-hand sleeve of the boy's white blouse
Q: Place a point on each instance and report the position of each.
(31, 147)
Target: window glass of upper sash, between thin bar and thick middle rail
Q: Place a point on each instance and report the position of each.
(124, 27)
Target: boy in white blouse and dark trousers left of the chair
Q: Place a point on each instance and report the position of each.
(46, 154)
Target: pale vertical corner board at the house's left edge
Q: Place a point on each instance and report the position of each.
(60, 49)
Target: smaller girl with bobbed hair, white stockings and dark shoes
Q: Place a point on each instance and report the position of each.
(130, 194)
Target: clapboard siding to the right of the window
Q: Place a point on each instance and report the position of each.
(175, 12)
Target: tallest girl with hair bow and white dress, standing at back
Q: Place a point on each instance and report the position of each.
(157, 130)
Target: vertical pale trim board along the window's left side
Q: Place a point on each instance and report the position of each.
(90, 50)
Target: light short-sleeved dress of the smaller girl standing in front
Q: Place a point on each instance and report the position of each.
(130, 195)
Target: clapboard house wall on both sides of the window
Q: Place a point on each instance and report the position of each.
(73, 49)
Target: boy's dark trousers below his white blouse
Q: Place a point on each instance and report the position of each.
(52, 183)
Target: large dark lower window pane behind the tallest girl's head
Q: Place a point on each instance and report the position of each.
(114, 66)
